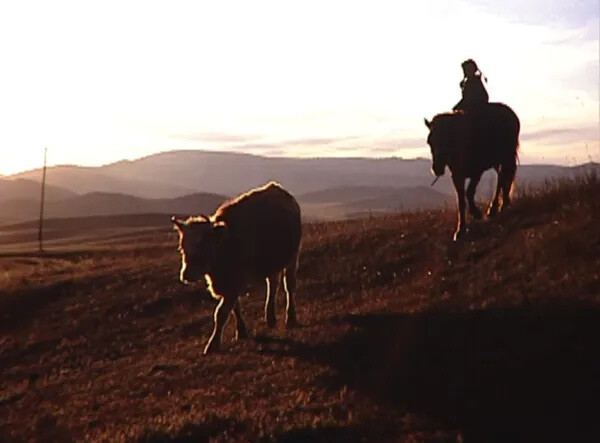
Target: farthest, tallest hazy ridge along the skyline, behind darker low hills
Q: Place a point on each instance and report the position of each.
(175, 173)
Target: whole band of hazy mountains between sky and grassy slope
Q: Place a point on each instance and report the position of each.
(190, 182)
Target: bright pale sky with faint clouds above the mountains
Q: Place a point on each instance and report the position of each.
(97, 82)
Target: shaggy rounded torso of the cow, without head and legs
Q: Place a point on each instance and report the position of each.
(264, 229)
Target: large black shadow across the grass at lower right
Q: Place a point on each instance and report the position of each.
(515, 374)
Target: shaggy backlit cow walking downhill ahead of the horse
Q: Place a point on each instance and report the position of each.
(253, 237)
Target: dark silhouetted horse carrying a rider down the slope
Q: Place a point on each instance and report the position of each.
(471, 143)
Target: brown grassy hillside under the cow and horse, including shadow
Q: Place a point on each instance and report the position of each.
(406, 336)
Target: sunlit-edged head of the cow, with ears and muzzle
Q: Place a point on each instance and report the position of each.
(199, 239)
